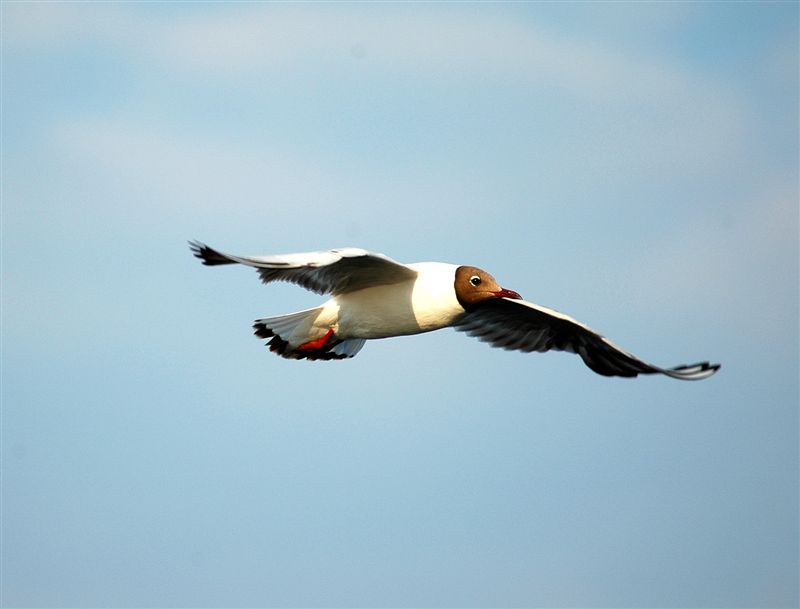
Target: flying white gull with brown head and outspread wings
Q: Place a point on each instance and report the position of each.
(374, 296)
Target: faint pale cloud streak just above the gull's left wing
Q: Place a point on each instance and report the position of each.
(150, 171)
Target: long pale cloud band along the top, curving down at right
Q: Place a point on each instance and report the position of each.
(637, 110)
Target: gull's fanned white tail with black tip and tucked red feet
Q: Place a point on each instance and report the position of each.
(289, 337)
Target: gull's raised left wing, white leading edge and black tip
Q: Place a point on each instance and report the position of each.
(326, 272)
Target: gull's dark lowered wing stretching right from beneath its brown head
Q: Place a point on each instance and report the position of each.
(524, 326)
